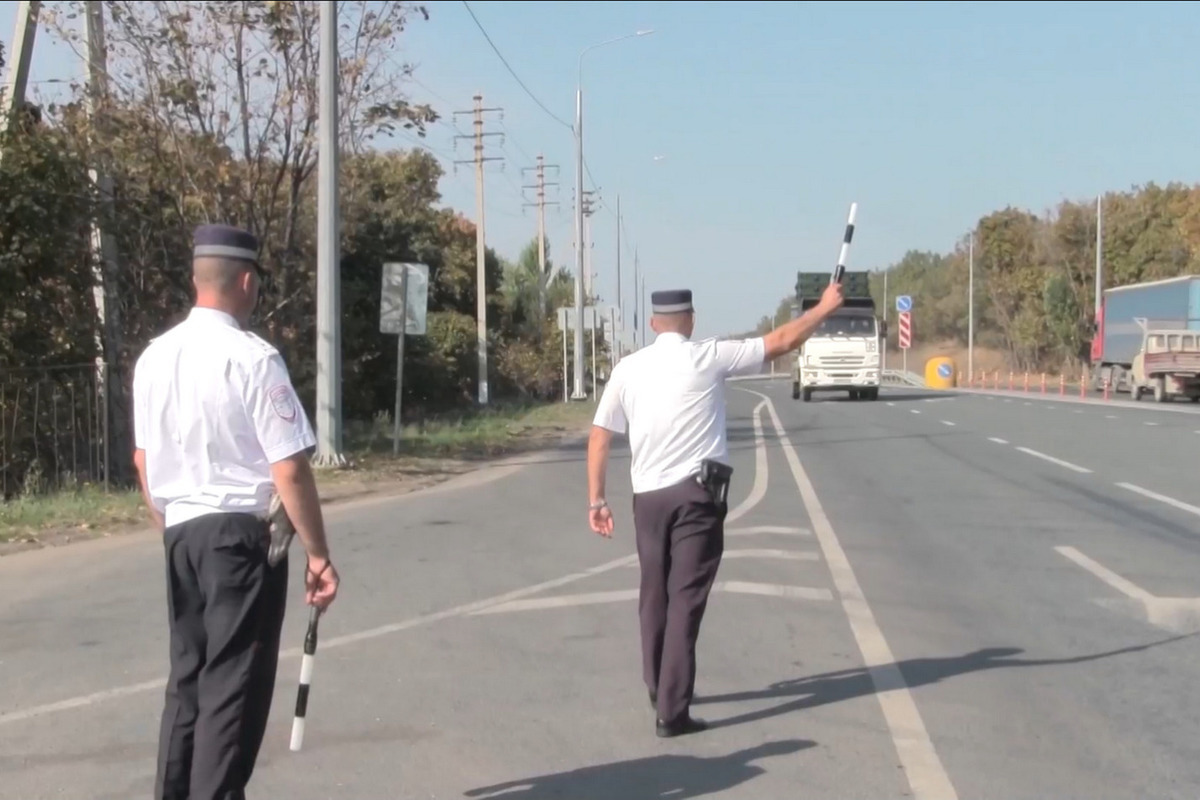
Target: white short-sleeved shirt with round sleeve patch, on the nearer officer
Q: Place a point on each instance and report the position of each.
(214, 408)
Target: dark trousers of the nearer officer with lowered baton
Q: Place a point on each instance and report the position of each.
(226, 611)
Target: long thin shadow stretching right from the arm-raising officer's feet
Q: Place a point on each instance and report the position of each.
(849, 684)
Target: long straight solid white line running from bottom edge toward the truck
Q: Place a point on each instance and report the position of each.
(923, 768)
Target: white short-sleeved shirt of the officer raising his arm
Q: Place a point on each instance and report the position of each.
(670, 400)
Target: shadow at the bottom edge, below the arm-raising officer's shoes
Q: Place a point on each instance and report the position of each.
(646, 779)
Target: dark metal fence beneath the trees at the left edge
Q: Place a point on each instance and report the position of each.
(53, 429)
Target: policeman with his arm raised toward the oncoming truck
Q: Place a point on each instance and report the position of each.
(670, 401)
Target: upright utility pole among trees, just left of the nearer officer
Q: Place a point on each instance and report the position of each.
(105, 269)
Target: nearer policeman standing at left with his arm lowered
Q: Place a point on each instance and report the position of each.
(219, 431)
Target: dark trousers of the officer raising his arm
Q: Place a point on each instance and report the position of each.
(681, 538)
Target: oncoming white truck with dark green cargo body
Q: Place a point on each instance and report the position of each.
(844, 354)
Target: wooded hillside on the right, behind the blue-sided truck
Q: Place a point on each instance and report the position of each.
(1035, 275)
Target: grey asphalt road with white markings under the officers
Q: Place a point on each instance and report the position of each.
(933, 597)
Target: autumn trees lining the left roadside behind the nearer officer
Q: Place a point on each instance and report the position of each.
(212, 116)
